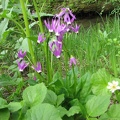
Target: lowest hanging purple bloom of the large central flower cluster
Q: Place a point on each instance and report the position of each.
(56, 47)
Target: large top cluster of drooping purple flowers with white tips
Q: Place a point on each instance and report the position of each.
(59, 25)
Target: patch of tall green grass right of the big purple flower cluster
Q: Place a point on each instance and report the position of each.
(92, 48)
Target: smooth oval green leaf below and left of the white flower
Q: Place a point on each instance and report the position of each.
(97, 105)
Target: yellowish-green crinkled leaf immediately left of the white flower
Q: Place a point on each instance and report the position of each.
(100, 81)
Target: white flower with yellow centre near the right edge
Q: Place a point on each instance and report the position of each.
(113, 86)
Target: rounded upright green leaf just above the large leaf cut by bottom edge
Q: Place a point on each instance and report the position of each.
(33, 95)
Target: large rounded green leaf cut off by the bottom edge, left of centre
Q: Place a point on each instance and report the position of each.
(43, 111)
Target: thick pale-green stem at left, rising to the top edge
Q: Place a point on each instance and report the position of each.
(27, 30)
